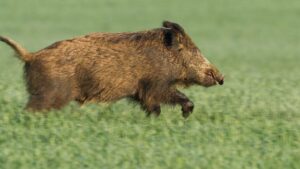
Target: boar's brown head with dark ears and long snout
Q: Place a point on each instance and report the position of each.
(197, 69)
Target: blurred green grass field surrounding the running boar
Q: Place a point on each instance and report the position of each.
(253, 121)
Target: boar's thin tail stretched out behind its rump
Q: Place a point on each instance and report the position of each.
(22, 52)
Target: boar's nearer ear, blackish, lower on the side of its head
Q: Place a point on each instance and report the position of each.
(171, 39)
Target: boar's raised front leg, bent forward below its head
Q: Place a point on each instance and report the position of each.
(187, 106)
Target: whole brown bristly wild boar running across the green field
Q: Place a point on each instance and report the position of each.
(144, 66)
